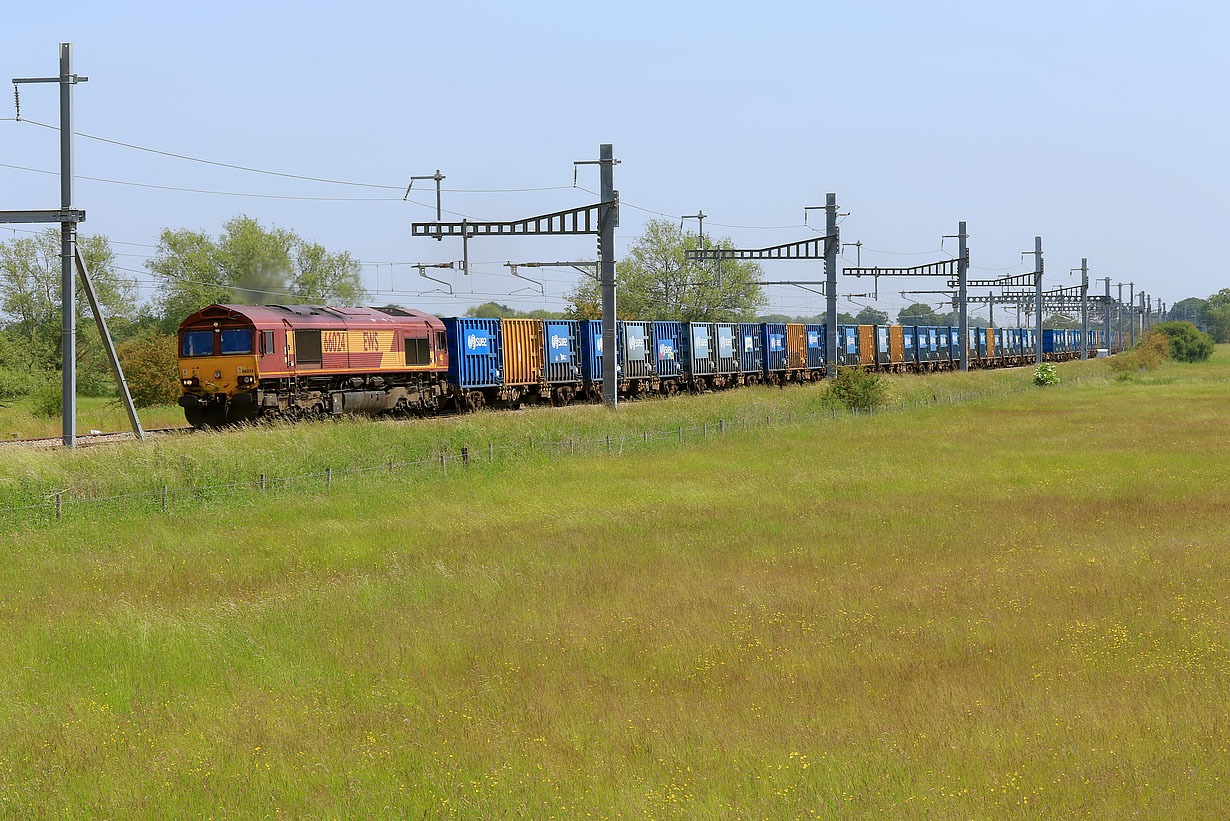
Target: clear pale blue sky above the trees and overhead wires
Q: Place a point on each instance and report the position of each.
(1100, 126)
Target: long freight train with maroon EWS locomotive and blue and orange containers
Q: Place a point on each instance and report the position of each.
(245, 362)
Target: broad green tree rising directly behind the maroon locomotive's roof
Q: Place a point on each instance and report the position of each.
(248, 264)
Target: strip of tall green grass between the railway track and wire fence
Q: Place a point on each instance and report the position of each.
(201, 460)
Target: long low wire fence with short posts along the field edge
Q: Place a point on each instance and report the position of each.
(167, 499)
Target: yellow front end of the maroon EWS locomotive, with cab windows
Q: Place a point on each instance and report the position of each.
(218, 374)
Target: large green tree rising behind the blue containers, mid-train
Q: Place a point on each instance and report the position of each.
(657, 281)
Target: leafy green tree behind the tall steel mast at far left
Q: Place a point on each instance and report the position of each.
(30, 305)
